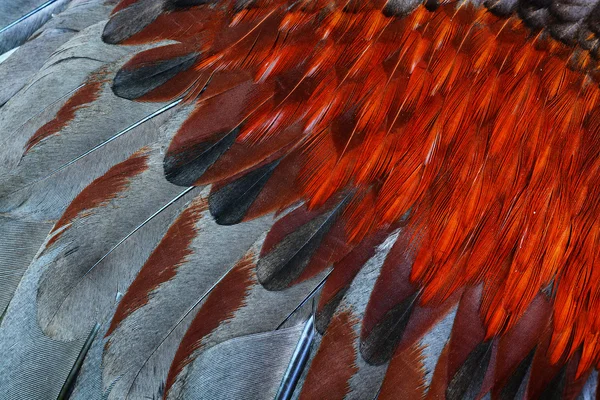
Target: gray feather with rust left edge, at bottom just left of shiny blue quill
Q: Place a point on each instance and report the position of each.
(229, 311)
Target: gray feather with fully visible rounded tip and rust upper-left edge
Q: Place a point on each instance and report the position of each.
(78, 283)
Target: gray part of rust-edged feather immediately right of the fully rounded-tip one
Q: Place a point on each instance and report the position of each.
(135, 366)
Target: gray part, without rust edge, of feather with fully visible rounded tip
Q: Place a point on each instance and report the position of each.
(75, 289)
